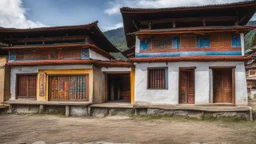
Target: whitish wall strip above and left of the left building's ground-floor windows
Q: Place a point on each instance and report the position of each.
(35, 69)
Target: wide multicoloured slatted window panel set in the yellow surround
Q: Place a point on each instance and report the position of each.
(68, 87)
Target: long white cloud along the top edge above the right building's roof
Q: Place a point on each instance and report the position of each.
(114, 7)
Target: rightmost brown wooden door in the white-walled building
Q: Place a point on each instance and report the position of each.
(222, 86)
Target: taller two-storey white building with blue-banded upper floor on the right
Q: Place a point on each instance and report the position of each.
(189, 55)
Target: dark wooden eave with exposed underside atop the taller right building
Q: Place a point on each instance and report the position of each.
(135, 19)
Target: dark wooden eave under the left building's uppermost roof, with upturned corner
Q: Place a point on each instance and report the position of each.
(13, 36)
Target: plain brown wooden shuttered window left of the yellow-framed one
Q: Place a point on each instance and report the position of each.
(26, 86)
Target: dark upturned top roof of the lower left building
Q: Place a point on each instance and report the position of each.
(91, 29)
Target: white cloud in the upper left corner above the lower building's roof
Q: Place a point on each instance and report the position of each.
(12, 15)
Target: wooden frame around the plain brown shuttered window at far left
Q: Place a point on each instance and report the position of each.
(17, 88)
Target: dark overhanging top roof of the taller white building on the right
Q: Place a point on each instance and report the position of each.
(240, 13)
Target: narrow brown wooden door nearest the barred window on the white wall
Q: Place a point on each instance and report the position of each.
(187, 87)
